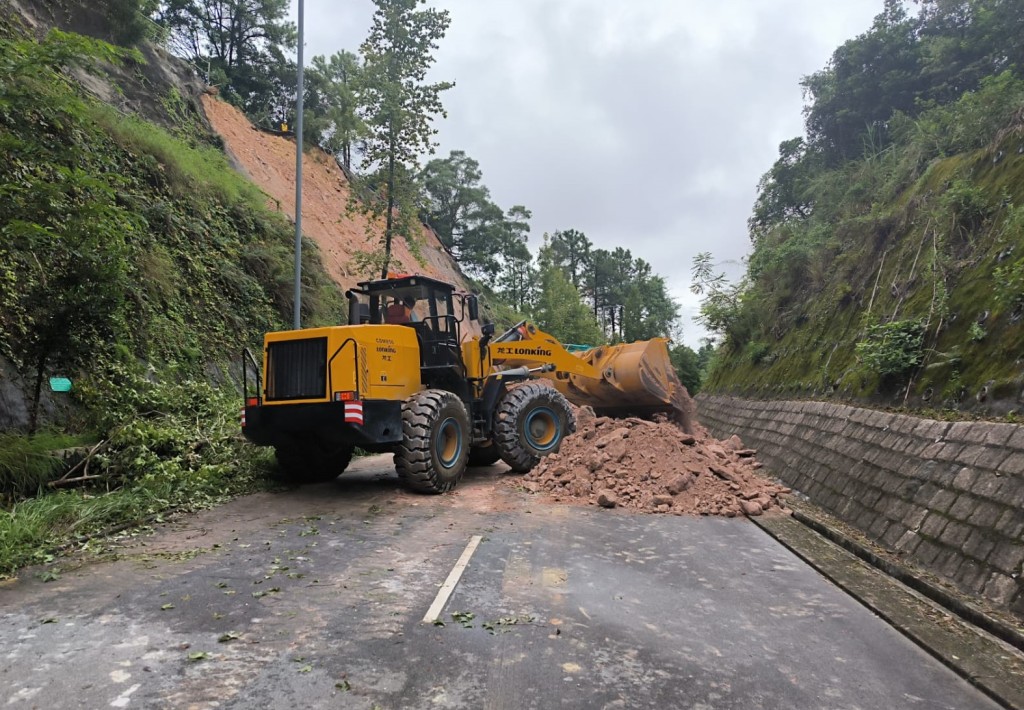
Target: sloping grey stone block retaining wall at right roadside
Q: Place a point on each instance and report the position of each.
(949, 495)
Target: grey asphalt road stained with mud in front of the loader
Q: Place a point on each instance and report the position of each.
(316, 599)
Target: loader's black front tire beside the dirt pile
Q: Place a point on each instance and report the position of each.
(533, 421)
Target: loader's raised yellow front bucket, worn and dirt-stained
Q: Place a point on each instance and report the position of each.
(636, 380)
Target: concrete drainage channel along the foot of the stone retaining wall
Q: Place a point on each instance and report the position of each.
(979, 647)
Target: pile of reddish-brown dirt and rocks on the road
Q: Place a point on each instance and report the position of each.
(655, 467)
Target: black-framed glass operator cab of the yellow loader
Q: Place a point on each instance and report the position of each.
(434, 310)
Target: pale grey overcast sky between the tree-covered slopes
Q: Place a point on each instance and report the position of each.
(646, 124)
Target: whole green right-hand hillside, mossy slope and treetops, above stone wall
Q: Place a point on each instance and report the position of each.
(888, 244)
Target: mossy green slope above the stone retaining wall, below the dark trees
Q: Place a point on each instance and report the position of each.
(901, 279)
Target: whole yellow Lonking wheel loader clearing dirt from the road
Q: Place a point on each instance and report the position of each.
(402, 378)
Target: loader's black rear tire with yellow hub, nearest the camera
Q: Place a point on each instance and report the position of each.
(435, 451)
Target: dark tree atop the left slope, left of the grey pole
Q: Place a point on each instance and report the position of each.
(239, 45)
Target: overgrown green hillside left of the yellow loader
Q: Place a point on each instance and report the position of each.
(140, 264)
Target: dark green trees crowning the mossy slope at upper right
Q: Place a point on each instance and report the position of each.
(907, 64)
